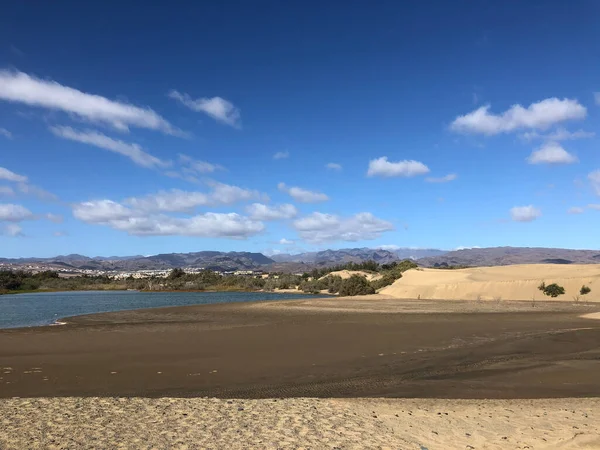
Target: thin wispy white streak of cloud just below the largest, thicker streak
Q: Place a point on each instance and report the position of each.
(131, 151)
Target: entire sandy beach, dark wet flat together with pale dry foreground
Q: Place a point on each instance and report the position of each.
(365, 372)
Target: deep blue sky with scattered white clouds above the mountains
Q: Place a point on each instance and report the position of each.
(287, 126)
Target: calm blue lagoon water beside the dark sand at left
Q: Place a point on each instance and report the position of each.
(30, 310)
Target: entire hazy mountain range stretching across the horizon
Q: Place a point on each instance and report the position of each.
(301, 262)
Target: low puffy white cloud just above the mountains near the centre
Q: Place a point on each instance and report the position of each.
(319, 227)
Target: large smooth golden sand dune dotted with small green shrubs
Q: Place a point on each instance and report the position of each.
(517, 282)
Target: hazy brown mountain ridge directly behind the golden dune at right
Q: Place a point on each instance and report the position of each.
(502, 256)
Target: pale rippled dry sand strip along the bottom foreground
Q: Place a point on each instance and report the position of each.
(169, 423)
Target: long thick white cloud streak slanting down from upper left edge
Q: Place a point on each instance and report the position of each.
(18, 87)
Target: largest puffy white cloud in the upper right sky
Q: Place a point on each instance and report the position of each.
(541, 115)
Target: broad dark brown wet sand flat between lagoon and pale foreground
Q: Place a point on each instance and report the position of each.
(312, 348)
